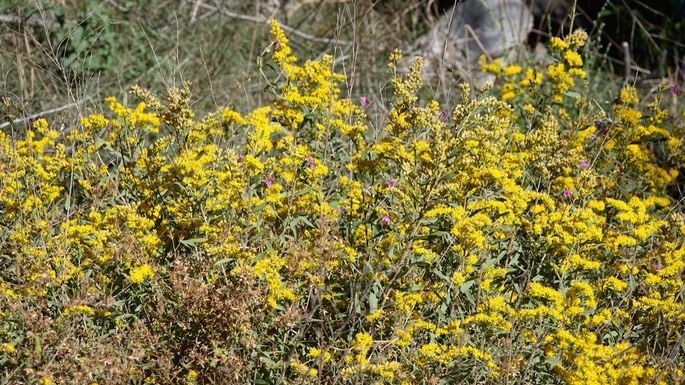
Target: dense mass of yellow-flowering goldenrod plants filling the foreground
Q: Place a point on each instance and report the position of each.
(524, 236)
